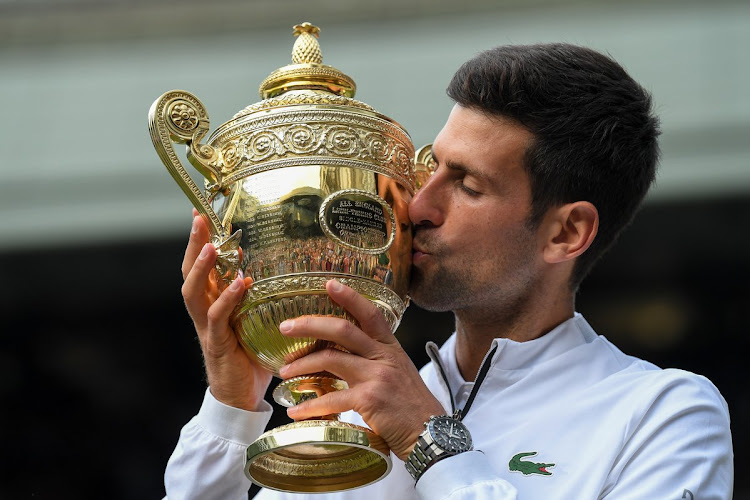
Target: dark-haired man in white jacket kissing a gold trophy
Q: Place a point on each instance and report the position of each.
(544, 159)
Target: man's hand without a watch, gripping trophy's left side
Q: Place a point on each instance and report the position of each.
(234, 378)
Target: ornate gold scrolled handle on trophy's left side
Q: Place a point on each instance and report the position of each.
(180, 117)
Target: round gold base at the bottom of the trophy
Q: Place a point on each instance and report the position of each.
(313, 456)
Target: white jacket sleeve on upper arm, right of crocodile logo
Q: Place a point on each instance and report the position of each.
(680, 448)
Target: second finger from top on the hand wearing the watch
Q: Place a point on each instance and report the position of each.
(337, 330)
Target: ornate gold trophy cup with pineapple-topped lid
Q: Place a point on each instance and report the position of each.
(302, 187)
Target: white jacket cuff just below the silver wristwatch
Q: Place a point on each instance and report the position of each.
(468, 476)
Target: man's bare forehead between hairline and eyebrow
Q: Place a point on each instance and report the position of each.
(492, 144)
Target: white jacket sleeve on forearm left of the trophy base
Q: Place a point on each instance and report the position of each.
(207, 462)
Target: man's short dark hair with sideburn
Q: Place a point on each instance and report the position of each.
(595, 134)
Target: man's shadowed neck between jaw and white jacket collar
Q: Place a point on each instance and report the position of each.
(475, 329)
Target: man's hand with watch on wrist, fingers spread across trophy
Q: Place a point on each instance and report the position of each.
(384, 385)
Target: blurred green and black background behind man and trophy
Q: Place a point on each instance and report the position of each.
(99, 367)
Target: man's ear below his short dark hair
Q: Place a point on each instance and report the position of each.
(571, 230)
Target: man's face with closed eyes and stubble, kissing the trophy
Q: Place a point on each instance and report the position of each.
(473, 249)
